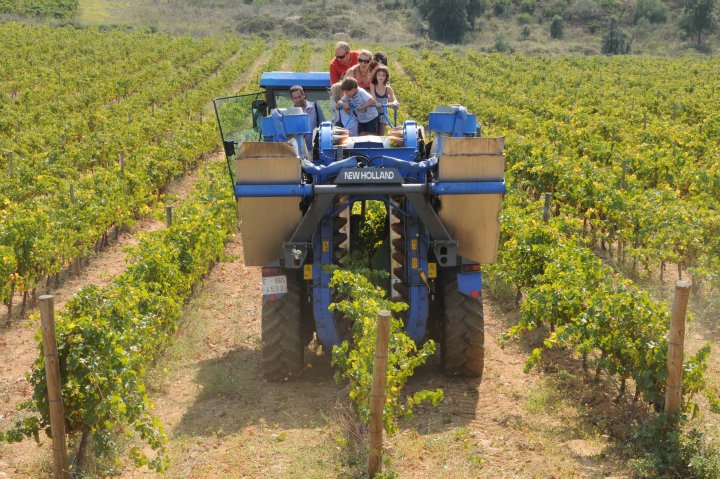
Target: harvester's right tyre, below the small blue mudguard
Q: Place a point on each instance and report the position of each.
(463, 343)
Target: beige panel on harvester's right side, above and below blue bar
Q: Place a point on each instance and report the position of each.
(473, 220)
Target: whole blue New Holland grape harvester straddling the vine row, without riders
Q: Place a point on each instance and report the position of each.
(432, 192)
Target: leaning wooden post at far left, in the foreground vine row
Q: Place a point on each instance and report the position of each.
(52, 373)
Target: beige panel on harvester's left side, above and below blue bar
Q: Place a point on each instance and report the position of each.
(265, 223)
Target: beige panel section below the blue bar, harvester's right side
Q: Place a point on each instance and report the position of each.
(473, 221)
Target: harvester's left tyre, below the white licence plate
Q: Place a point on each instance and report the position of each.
(283, 333)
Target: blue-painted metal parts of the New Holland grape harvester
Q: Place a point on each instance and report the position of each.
(406, 160)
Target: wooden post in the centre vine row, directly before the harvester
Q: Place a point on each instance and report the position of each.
(377, 393)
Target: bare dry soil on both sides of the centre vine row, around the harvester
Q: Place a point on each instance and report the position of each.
(225, 421)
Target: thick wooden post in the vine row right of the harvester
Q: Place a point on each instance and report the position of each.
(676, 339)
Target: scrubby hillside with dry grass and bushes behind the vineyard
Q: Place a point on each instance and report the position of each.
(579, 26)
